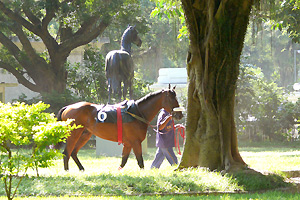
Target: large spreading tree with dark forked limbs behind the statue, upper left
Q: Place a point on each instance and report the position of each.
(61, 25)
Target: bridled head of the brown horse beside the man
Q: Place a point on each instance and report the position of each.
(170, 102)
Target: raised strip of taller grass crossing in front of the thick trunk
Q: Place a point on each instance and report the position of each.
(196, 181)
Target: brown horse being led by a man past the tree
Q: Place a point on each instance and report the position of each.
(134, 132)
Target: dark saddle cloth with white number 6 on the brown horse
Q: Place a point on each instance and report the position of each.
(108, 113)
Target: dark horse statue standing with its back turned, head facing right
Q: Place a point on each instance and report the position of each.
(119, 65)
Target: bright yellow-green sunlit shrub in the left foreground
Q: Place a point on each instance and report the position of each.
(23, 125)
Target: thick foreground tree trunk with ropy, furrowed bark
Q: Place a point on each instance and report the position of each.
(217, 30)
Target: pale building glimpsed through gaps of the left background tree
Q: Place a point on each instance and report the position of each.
(10, 88)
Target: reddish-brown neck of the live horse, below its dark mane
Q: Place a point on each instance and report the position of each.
(150, 109)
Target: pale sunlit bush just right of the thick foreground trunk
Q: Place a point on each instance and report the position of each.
(264, 102)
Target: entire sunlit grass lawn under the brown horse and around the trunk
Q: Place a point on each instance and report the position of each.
(102, 178)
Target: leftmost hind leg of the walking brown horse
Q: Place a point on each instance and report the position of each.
(70, 144)
